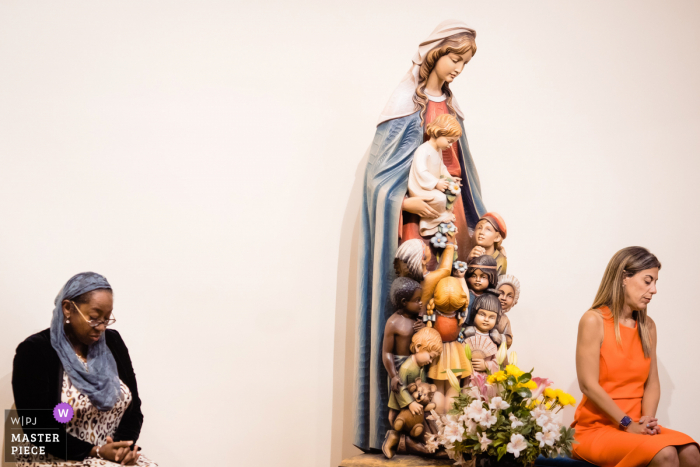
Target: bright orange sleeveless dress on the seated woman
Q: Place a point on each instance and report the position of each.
(623, 373)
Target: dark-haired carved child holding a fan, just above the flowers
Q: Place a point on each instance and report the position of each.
(481, 334)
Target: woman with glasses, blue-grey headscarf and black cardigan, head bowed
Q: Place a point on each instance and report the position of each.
(78, 361)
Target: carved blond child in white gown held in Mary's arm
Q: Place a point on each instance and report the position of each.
(429, 178)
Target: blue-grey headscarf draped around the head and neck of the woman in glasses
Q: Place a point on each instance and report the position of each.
(101, 383)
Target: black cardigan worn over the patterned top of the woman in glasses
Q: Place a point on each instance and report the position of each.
(37, 379)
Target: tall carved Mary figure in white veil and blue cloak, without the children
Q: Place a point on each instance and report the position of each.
(389, 217)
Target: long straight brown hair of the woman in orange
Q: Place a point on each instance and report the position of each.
(625, 263)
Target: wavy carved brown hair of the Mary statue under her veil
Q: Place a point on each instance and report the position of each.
(459, 44)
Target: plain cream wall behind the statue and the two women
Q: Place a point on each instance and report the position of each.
(207, 157)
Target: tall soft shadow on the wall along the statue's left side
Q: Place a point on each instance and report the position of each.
(342, 425)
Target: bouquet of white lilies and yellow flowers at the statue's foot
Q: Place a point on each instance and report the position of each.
(508, 412)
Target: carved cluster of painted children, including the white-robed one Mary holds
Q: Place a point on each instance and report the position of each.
(439, 312)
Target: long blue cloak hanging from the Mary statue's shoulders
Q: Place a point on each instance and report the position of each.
(385, 186)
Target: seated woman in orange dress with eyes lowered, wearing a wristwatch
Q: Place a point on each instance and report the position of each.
(616, 421)
